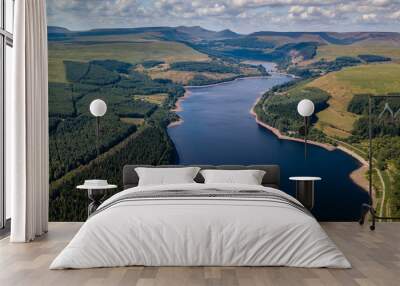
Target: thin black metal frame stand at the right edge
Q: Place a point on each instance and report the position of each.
(369, 207)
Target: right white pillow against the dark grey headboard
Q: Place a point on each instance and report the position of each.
(248, 177)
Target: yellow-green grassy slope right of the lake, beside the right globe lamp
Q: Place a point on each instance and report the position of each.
(342, 85)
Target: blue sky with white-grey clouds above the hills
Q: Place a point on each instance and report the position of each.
(242, 16)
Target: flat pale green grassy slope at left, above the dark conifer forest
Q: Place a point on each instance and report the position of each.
(131, 52)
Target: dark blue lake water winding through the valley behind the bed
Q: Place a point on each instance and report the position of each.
(218, 129)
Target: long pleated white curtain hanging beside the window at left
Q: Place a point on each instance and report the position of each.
(27, 124)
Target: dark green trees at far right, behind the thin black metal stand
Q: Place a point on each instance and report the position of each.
(385, 121)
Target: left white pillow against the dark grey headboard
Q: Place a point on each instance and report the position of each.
(166, 176)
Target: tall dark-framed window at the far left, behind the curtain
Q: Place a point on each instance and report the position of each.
(6, 65)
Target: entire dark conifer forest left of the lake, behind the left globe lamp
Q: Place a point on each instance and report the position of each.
(129, 95)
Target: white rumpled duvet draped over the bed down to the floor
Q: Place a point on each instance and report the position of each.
(202, 232)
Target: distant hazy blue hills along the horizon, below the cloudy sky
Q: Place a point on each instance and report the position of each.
(285, 48)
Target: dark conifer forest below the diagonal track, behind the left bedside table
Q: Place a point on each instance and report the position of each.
(150, 145)
